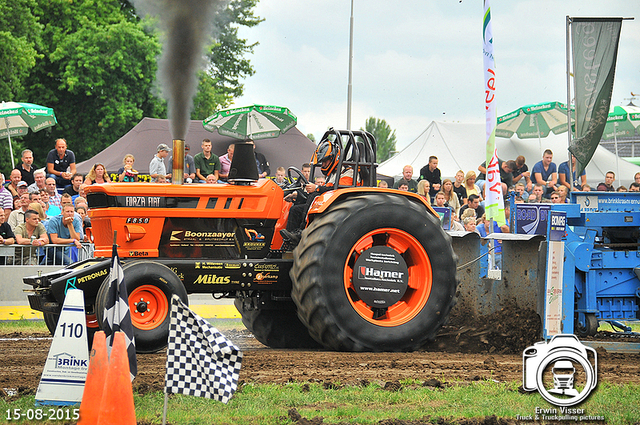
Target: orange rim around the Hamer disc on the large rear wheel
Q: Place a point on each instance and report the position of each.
(420, 276)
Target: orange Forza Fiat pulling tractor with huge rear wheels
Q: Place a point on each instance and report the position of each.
(373, 269)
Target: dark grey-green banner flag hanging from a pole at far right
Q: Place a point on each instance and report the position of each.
(595, 50)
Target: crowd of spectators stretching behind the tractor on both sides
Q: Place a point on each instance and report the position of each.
(44, 206)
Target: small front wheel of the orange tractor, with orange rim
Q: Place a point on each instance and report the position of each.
(152, 284)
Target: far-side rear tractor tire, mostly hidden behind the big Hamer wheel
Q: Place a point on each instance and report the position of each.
(276, 328)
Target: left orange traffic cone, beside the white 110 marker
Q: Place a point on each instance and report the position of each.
(94, 384)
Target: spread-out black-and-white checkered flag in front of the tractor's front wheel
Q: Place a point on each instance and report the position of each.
(200, 360)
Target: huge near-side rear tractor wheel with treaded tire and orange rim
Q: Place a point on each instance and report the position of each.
(323, 271)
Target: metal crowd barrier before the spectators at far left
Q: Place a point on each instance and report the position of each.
(51, 255)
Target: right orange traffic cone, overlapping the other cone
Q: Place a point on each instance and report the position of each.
(117, 398)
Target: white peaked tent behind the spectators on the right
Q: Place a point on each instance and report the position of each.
(461, 146)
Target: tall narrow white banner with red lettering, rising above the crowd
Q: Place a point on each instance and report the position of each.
(494, 201)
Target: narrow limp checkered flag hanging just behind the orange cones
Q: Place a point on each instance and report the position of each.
(117, 316)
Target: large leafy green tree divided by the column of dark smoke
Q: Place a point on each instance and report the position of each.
(97, 67)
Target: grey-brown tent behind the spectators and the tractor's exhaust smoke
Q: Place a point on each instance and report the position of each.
(290, 149)
